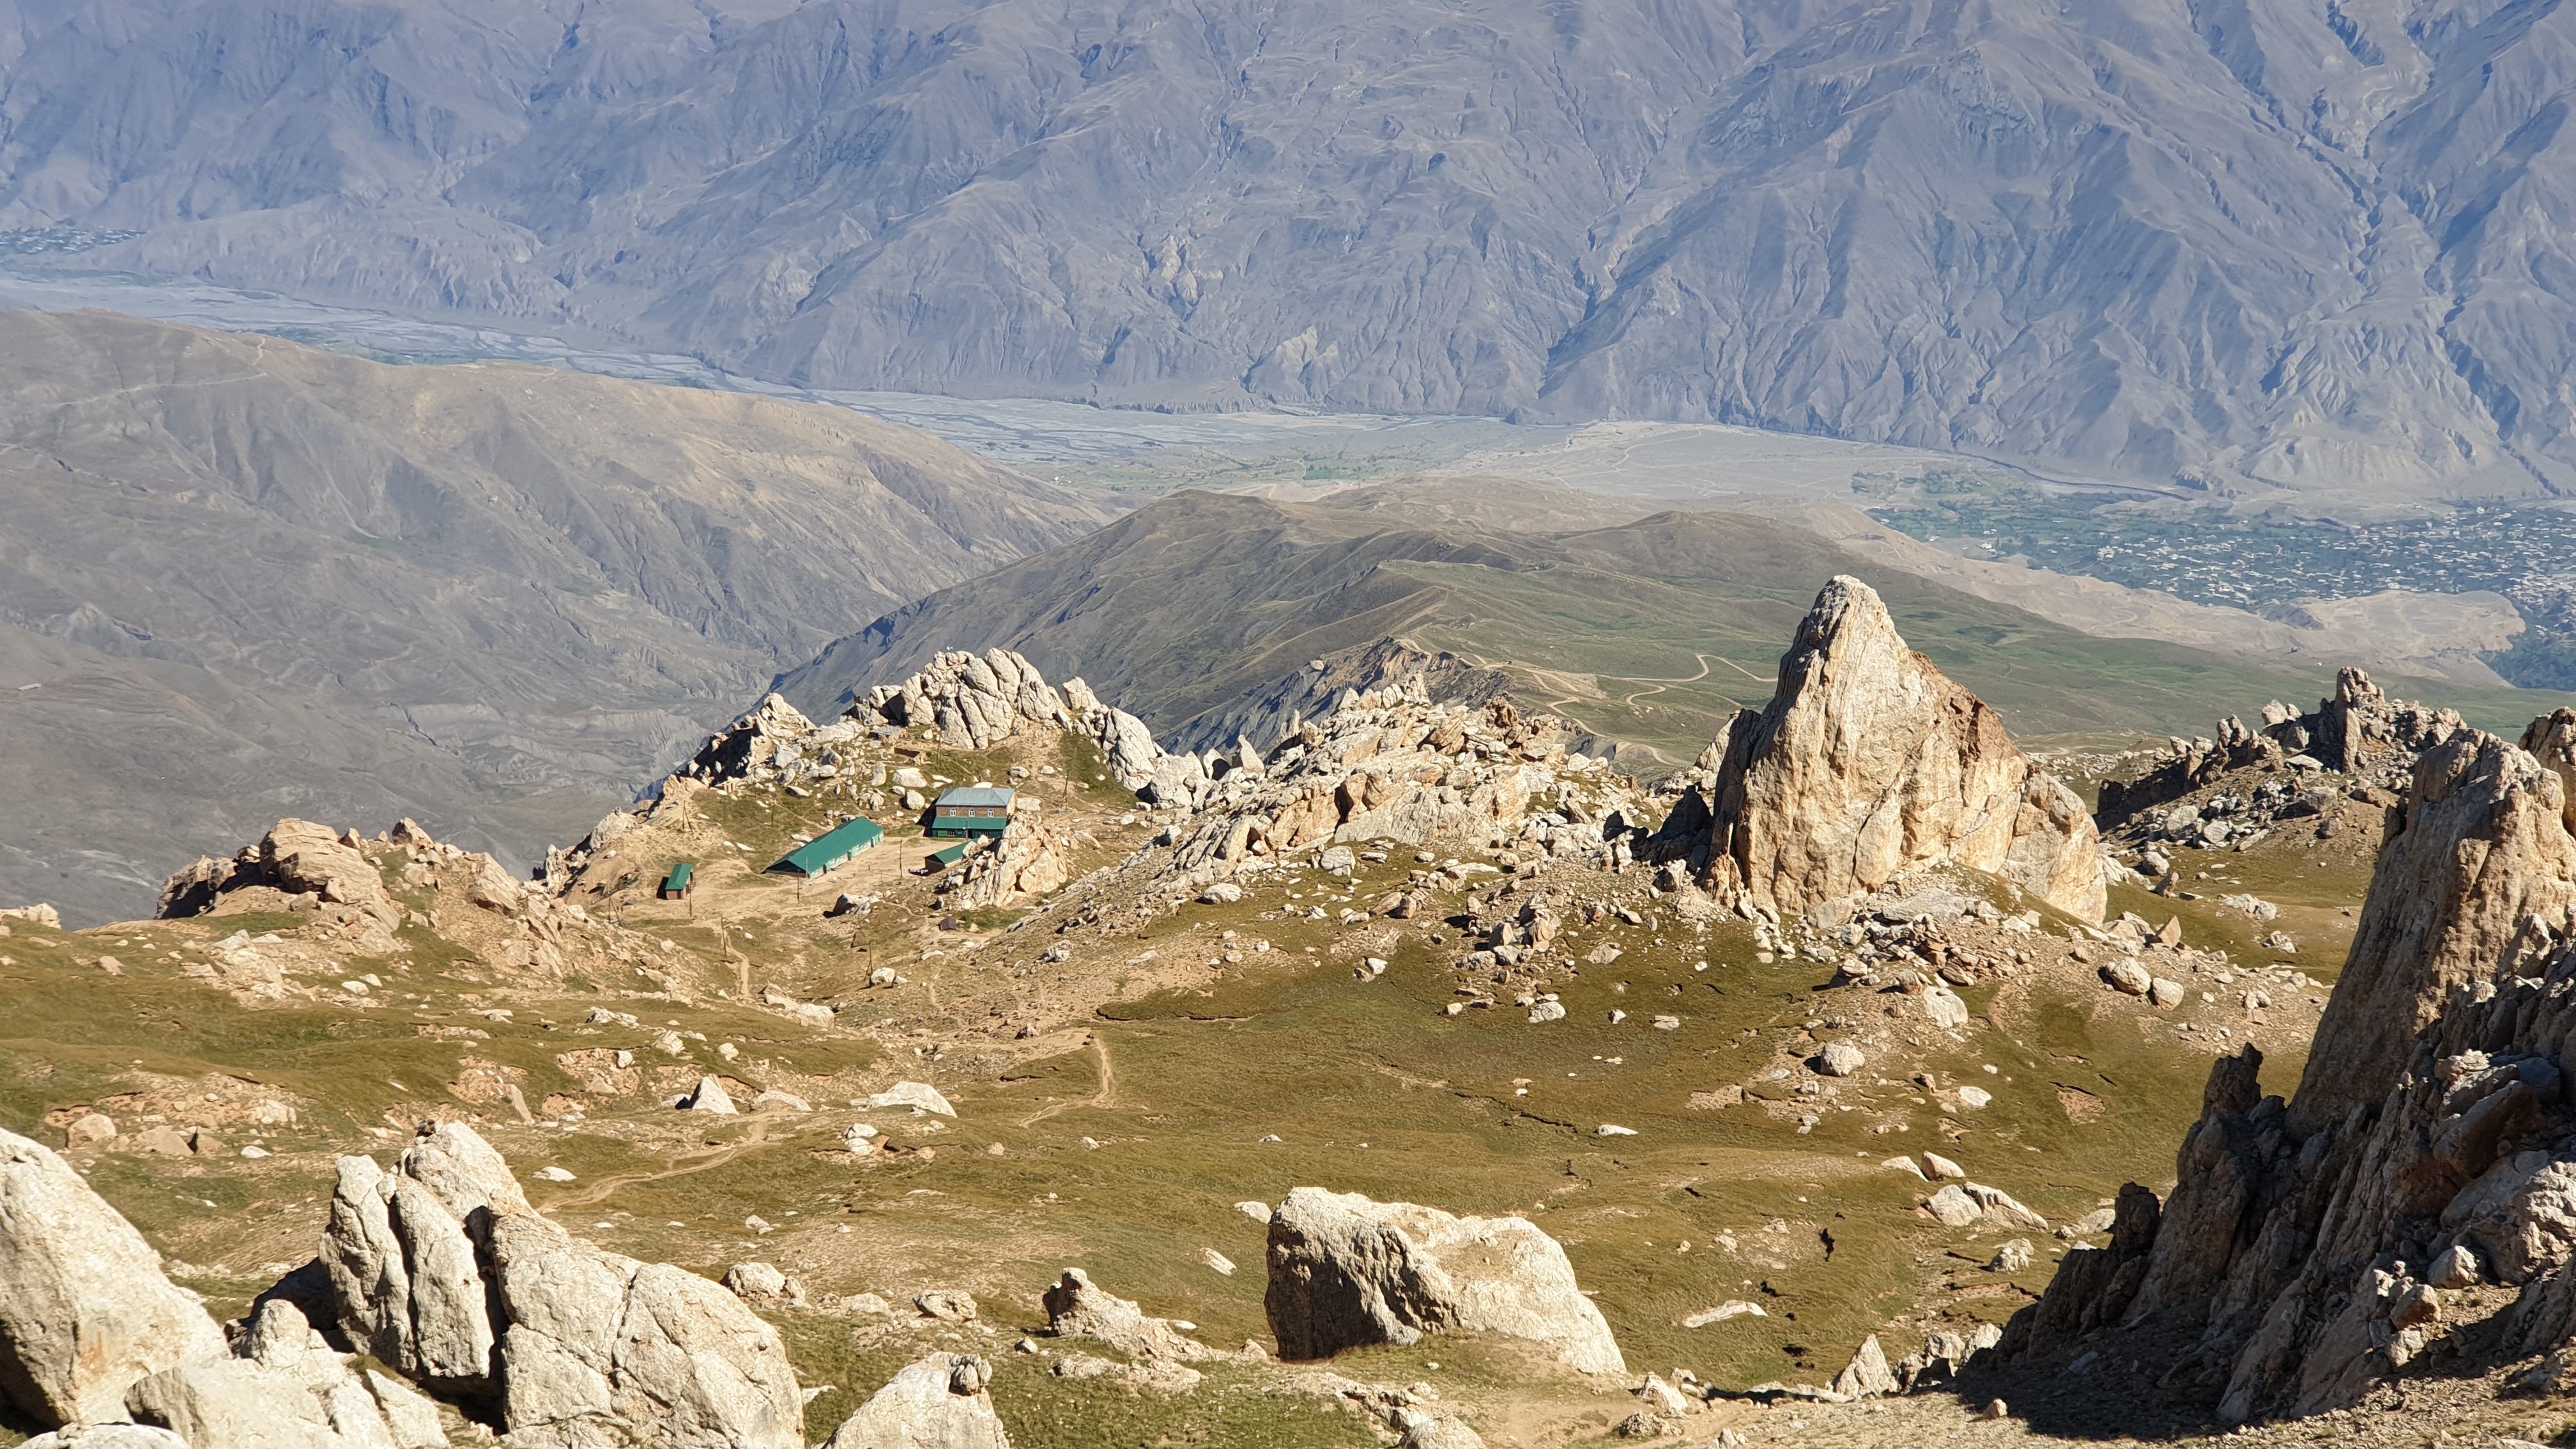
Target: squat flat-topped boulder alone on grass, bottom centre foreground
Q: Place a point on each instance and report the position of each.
(1349, 1272)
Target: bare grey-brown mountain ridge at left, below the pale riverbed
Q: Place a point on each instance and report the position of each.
(406, 589)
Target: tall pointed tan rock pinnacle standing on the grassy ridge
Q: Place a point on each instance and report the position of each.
(1866, 764)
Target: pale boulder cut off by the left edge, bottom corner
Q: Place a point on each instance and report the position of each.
(84, 1303)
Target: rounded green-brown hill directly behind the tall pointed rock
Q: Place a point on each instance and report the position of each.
(1202, 612)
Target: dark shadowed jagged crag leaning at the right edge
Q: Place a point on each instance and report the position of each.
(2433, 1113)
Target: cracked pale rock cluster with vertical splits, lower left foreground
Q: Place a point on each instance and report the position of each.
(442, 1270)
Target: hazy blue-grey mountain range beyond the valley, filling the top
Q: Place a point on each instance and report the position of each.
(2219, 244)
